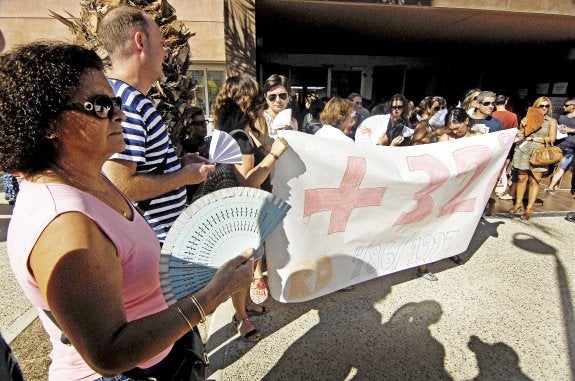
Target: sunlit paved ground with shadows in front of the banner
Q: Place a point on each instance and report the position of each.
(506, 314)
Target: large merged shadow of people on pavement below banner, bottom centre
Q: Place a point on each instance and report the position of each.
(350, 342)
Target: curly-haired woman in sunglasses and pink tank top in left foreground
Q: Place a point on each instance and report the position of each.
(77, 246)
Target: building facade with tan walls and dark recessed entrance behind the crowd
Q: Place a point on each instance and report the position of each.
(376, 48)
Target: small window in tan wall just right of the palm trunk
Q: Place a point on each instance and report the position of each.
(209, 82)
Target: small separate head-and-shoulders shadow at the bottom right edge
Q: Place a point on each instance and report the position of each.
(496, 361)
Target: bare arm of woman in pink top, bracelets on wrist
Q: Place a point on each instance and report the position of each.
(80, 277)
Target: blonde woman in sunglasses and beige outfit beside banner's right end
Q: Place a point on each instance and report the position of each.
(528, 142)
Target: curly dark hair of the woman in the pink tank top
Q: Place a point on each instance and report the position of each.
(36, 82)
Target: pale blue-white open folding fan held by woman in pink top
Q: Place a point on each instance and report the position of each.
(213, 230)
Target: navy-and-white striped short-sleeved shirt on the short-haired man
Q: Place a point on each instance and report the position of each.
(148, 145)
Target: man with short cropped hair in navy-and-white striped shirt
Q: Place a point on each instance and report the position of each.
(148, 170)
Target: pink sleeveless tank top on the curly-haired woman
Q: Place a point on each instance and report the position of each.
(137, 248)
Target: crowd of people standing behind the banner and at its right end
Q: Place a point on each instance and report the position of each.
(396, 122)
